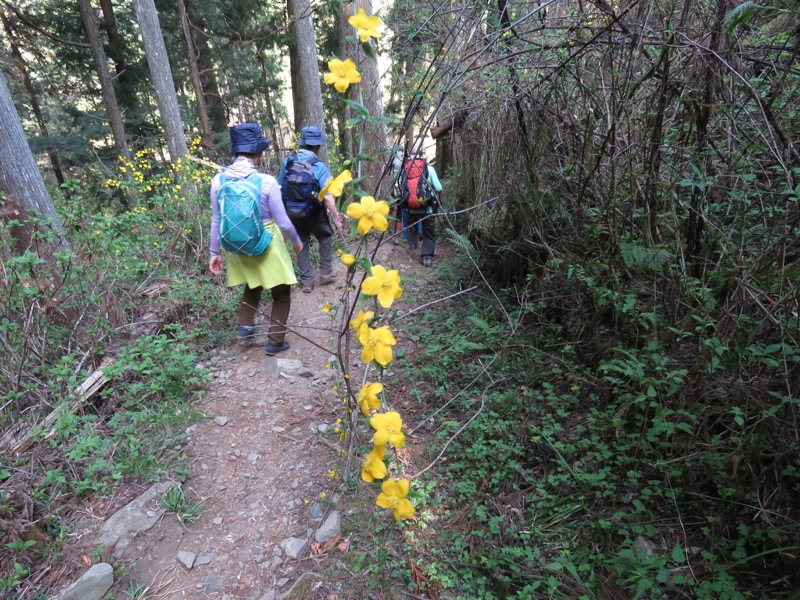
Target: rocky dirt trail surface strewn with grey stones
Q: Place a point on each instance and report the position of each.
(262, 469)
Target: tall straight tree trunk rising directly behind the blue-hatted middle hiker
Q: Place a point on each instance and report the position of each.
(306, 88)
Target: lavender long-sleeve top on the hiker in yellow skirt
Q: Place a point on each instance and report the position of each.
(271, 204)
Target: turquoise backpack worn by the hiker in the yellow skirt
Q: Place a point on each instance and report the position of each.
(241, 229)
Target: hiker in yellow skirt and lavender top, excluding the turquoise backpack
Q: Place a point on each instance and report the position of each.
(272, 269)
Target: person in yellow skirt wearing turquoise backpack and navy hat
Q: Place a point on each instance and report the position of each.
(272, 267)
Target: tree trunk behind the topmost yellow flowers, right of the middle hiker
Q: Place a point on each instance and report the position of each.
(373, 134)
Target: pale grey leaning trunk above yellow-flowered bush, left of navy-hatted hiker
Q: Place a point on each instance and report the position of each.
(161, 76)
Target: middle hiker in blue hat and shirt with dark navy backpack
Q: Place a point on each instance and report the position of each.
(314, 220)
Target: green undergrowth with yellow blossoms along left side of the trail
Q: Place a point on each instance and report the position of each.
(117, 297)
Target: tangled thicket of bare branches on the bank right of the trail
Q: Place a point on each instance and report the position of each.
(645, 159)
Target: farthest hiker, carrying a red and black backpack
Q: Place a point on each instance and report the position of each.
(419, 194)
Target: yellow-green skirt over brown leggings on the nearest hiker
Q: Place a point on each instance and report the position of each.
(270, 268)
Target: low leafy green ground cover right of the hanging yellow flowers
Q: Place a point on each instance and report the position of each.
(612, 479)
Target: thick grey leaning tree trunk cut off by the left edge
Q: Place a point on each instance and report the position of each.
(20, 179)
